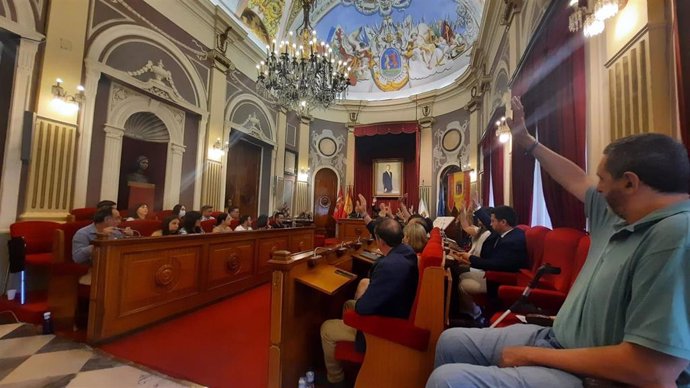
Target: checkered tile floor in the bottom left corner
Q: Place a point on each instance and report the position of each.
(28, 359)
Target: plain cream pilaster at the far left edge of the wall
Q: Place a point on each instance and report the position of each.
(12, 164)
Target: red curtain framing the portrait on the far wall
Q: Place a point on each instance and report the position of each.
(399, 142)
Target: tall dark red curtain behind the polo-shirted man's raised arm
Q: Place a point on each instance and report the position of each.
(555, 103)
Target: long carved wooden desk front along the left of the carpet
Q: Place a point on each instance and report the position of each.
(139, 281)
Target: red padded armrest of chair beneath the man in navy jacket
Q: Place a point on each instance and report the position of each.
(397, 330)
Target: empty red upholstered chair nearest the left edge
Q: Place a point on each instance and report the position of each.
(38, 237)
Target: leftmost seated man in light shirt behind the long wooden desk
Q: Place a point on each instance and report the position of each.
(105, 222)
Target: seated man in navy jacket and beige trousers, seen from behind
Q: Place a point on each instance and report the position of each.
(390, 292)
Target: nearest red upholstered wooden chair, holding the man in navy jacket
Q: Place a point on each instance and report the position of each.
(400, 352)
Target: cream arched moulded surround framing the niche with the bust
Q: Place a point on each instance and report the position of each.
(123, 104)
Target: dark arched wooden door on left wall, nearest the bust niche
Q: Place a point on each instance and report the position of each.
(243, 174)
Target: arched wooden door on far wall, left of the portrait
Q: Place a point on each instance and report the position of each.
(325, 195)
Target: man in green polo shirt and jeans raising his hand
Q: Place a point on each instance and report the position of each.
(627, 317)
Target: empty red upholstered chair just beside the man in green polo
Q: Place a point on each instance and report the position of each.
(565, 248)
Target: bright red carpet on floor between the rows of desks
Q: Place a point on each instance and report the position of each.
(222, 345)
